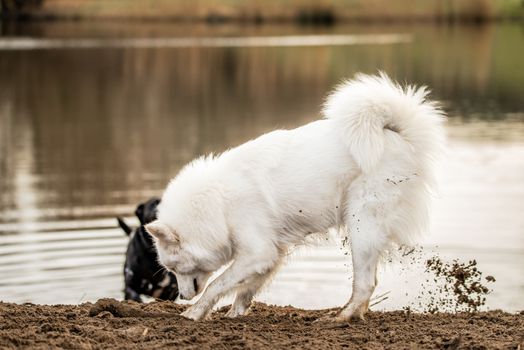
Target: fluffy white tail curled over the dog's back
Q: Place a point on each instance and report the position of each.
(367, 105)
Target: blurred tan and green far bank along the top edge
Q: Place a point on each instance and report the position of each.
(307, 11)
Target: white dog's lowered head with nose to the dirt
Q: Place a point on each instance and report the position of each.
(191, 273)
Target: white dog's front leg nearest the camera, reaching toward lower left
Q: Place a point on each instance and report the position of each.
(238, 273)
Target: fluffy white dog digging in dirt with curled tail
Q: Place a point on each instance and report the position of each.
(365, 169)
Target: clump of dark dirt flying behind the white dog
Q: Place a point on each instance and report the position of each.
(459, 286)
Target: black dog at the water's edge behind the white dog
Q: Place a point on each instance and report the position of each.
(143, 275)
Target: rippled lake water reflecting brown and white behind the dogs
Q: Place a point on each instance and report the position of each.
(90, 126)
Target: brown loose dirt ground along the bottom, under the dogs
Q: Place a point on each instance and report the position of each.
(127, 325)
